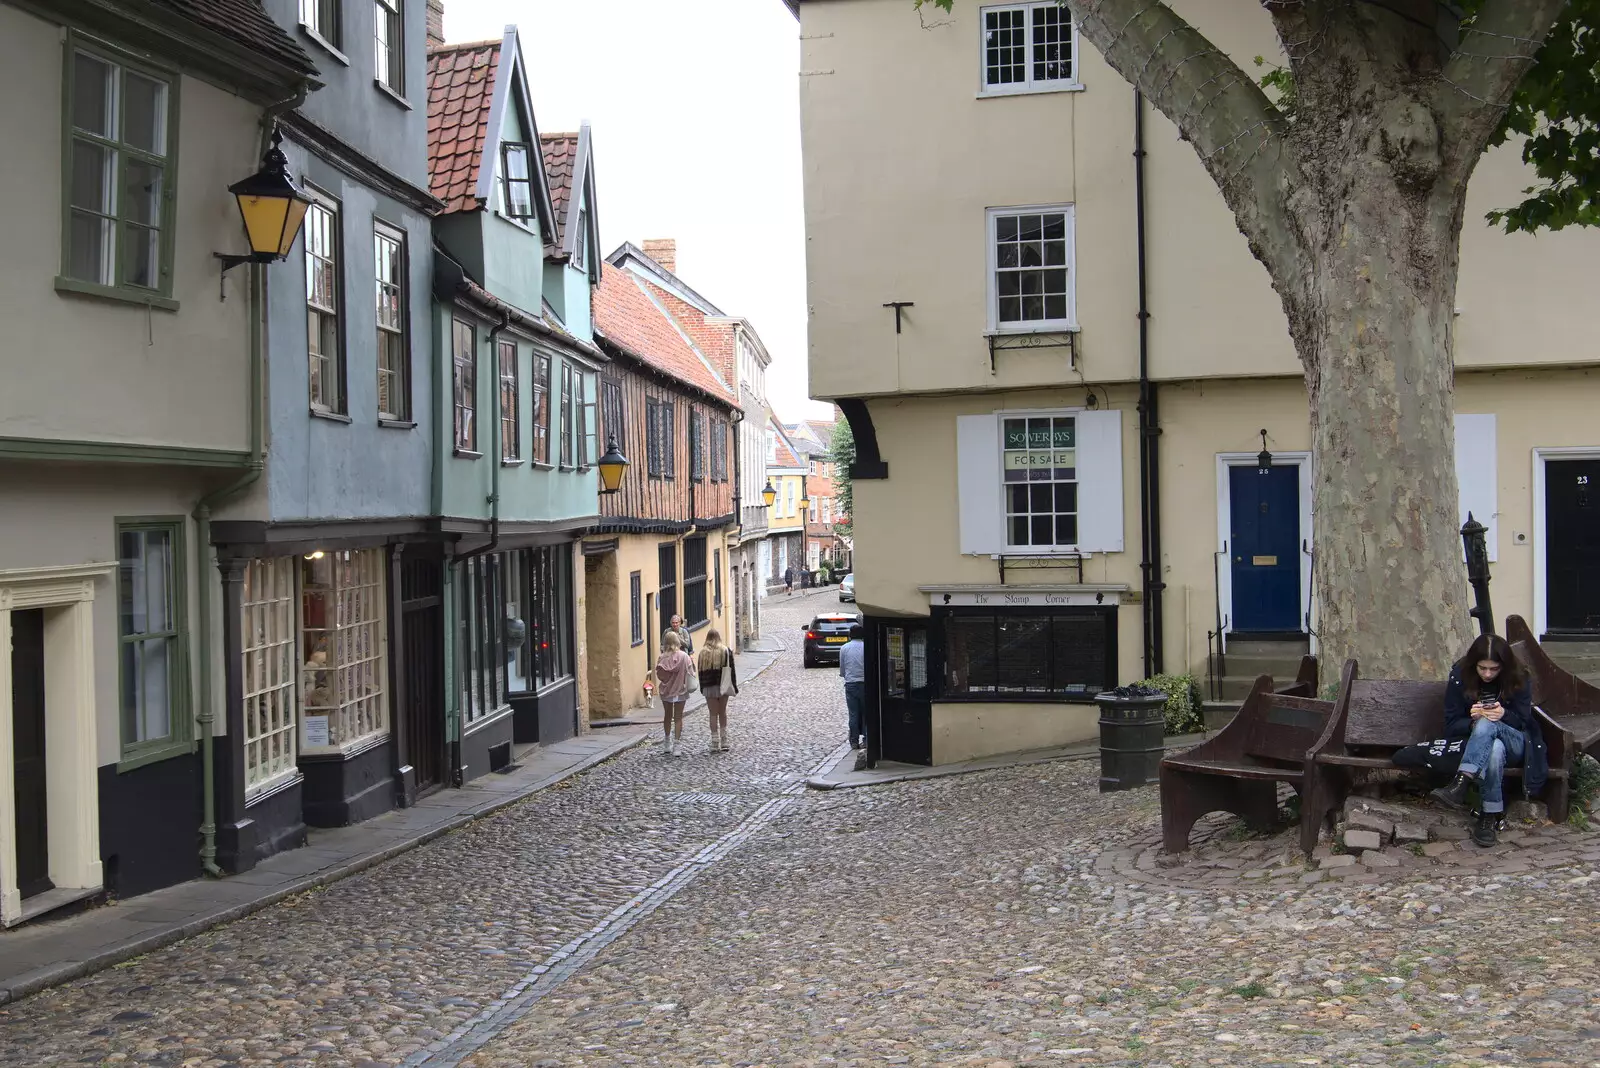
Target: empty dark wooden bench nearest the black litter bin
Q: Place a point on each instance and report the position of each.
(1241, 768)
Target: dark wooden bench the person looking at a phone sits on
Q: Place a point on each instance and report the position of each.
(1378, 719)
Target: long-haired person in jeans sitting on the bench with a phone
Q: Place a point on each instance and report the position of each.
(1489, 701)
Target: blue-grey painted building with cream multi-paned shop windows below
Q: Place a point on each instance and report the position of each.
(332, 556)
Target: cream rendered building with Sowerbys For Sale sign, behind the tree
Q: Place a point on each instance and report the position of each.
(978, 169)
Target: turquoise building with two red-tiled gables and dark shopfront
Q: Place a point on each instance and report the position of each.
(518, 484)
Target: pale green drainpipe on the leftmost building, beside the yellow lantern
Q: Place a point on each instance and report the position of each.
(202, 516)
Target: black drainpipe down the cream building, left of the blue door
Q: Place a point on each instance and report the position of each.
(1150, 431)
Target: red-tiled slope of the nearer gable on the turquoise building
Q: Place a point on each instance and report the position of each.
(460, 95)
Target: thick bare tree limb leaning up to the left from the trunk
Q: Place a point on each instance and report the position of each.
(1215, 105)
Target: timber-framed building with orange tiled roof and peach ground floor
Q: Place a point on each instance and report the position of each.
(663, 543)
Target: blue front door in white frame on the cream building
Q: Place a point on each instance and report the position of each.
(1265, 548)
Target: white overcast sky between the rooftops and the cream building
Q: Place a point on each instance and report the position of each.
(697, 130)
